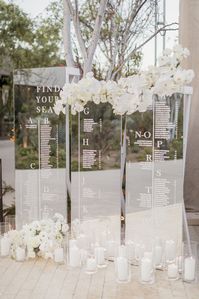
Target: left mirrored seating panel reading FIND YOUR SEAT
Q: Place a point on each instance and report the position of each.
(40, 144)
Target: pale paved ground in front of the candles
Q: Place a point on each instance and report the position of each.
(41, 279)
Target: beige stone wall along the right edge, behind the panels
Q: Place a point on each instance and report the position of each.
(189, 37)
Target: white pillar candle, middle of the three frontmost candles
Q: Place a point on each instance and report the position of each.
(147, 271)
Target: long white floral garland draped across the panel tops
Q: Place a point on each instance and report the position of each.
(131, 93)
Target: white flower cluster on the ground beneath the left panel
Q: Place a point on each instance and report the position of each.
(40, 238)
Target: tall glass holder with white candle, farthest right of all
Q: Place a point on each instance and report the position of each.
(189, 261)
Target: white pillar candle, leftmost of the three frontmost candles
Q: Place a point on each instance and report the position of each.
(122, 269)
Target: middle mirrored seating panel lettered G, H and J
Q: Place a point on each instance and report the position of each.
(95, 163)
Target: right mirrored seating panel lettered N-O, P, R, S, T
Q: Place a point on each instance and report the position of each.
(155, 171)
